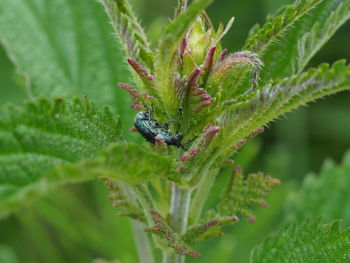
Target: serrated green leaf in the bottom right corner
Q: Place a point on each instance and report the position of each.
(309, 242)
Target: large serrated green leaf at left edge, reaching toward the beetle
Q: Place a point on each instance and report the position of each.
(45, 134)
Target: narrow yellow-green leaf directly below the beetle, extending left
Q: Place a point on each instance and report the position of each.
(130, 163)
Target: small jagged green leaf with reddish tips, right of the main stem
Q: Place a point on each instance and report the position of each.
(243, 193)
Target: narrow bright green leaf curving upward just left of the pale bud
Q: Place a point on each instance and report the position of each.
(166, 56)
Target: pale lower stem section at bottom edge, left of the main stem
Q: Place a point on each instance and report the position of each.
(144, 249)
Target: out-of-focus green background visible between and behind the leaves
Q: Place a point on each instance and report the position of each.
(77, 223)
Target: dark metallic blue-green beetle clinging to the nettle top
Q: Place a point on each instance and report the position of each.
(150, 129)
